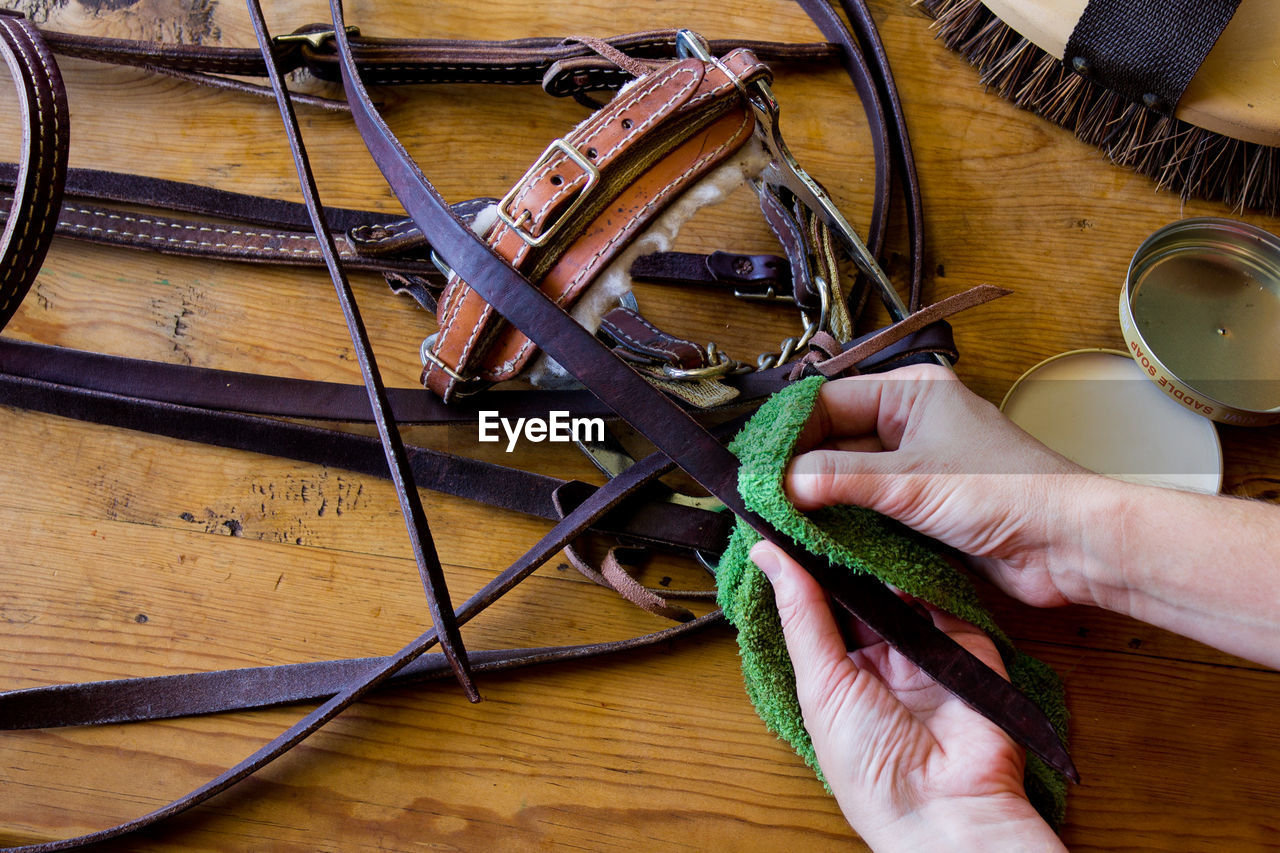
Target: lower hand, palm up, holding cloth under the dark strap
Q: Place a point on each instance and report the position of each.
(911, 765)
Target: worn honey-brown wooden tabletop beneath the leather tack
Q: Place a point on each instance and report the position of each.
(127, 555)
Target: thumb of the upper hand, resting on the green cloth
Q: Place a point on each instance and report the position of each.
(833, 478)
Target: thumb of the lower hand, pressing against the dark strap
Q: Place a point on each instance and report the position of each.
(815, 642)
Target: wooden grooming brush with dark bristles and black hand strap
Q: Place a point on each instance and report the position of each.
(1218, 139)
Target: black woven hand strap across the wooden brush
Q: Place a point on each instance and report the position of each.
(1148, 51)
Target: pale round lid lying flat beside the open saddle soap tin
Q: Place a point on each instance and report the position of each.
(1100, 409)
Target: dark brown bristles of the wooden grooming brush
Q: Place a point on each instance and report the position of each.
(1178, 156)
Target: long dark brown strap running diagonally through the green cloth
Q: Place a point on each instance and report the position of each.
(673, 431)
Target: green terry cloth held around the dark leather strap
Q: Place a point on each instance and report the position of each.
(865, 542)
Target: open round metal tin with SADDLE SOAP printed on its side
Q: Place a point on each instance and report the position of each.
(1201, 316)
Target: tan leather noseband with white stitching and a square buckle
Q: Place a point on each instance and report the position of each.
(586, 199)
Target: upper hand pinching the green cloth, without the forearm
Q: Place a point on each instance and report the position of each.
(918, 446)
